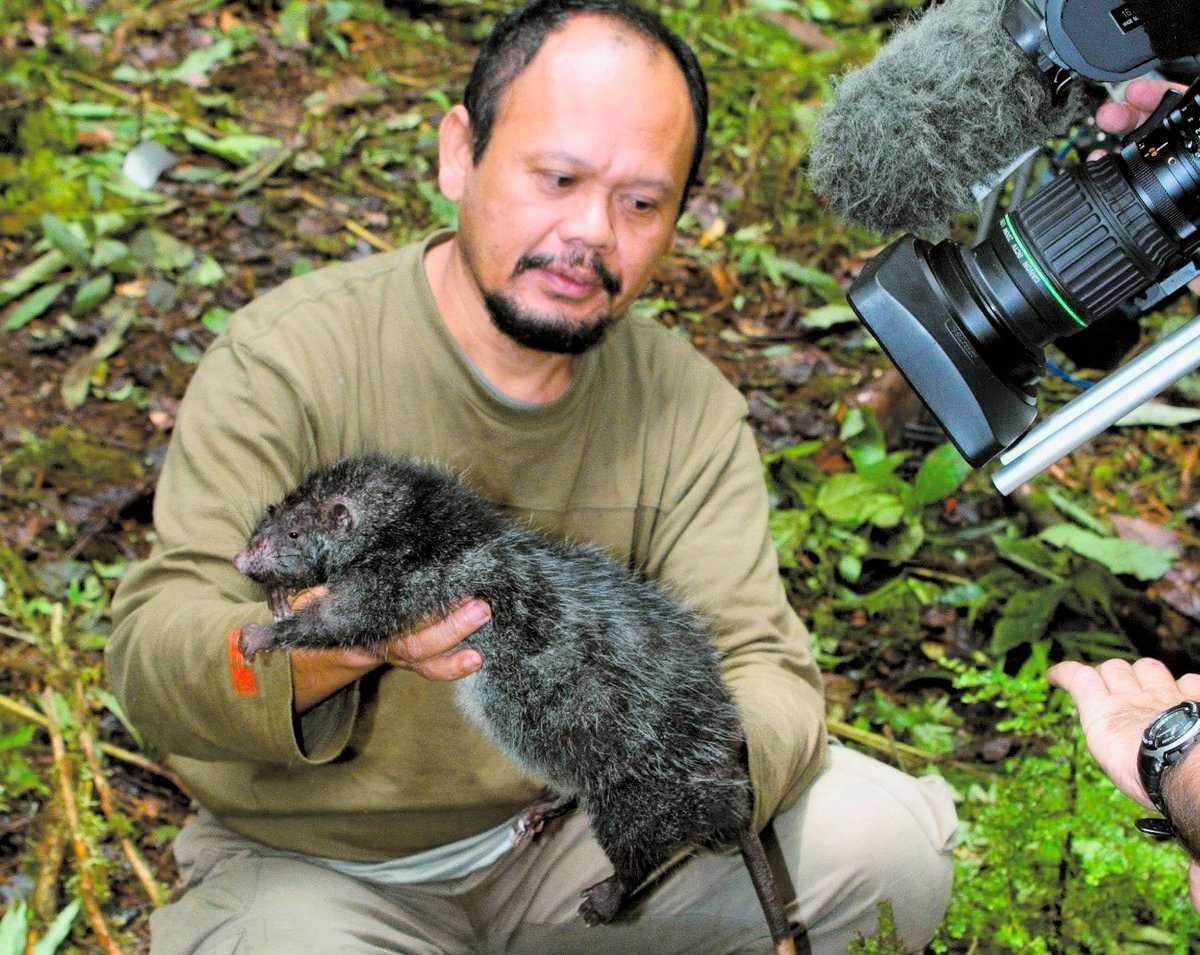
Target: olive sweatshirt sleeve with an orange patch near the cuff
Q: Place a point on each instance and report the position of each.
(243, 437)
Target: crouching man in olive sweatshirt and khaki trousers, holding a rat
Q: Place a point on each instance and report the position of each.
(347, 804)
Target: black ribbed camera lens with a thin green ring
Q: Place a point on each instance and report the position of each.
(968, 327)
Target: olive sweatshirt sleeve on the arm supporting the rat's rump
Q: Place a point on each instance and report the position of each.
(712, 543)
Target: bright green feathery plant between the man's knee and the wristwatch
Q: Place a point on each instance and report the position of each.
(1048, 860)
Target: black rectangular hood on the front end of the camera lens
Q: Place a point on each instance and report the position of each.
(907, 308)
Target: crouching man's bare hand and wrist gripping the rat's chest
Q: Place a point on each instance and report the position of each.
(428, 651)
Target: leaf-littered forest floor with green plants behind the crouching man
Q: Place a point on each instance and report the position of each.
(308, 135)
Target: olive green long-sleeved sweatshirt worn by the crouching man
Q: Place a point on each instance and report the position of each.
(647, 455)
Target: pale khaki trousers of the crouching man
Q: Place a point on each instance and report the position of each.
(862, 834)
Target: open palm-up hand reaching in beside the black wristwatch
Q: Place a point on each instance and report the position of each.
(1117, 702)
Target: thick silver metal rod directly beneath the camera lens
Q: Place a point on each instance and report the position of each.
(1100, 407)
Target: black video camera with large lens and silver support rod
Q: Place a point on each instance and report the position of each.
(968, 327)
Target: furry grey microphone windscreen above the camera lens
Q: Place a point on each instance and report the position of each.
(949, 103)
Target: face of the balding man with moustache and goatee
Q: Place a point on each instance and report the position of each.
(574, 201)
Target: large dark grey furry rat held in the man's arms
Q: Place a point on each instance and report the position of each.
(592, 680)
